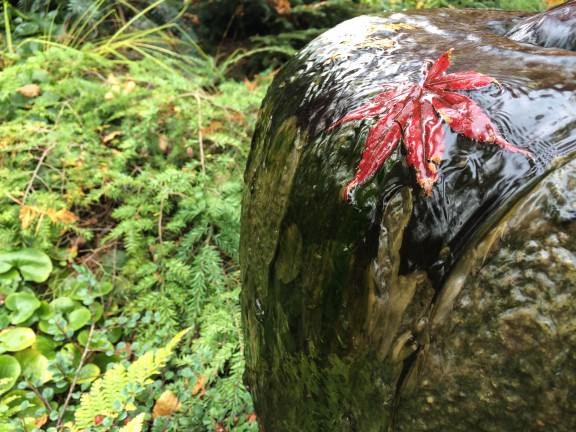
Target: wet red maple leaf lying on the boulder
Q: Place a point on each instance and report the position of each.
(414, 113)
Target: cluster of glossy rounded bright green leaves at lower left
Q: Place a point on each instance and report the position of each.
(45, 352)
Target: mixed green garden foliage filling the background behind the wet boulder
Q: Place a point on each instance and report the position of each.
(124, 129)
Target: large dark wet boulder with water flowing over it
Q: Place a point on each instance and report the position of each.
(398, 311)
